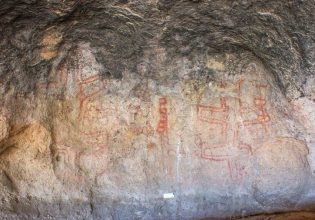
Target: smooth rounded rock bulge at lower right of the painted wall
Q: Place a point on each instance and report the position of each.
(281, 161)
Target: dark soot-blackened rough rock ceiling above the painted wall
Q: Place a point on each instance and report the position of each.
(37, 35)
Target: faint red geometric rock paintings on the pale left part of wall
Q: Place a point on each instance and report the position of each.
(82, 82)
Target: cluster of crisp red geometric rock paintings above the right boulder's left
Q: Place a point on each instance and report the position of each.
(233, 124)
